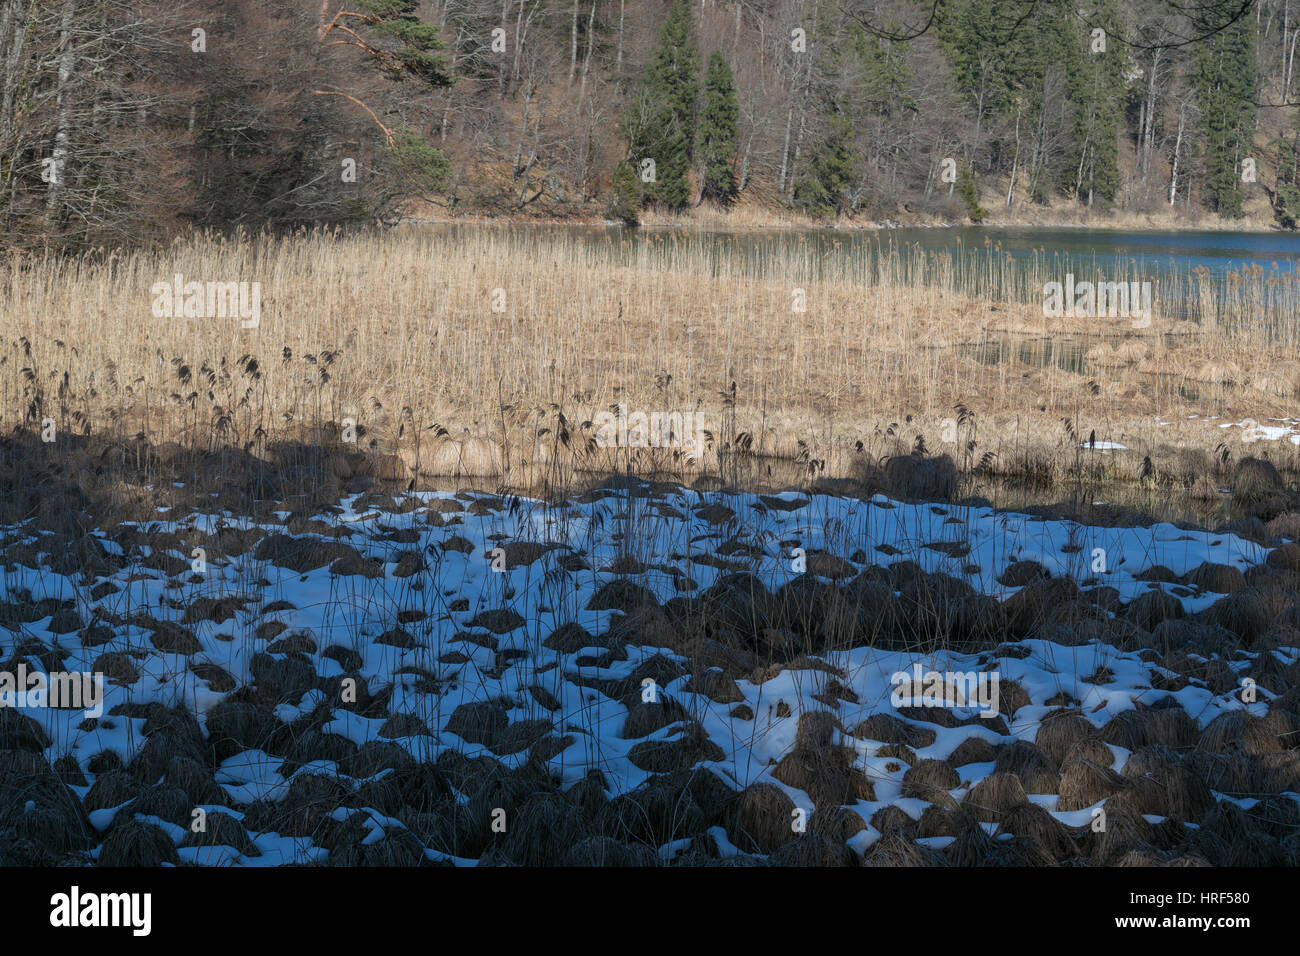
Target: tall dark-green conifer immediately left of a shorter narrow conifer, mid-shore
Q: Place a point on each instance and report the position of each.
(661, 122)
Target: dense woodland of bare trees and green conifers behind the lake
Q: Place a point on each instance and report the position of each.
(132, 120)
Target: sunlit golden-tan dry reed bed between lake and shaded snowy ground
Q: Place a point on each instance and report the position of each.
(398, 331)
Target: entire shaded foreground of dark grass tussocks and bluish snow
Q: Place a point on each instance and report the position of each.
(345, 673)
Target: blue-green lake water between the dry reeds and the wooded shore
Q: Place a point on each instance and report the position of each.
(1012, 263)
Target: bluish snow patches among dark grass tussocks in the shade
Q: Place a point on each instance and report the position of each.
(450, 605)
